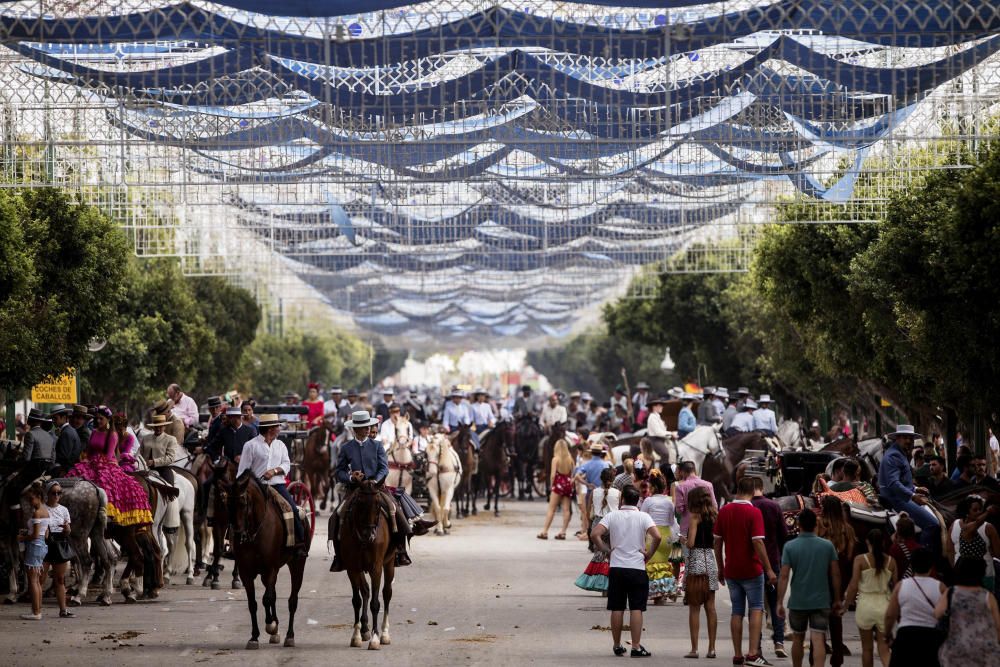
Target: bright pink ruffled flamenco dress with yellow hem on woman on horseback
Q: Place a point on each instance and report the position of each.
(128, 504)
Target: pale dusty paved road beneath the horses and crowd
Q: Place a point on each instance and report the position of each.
(488, 593)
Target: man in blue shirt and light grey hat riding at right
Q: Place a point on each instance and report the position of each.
(896, 489)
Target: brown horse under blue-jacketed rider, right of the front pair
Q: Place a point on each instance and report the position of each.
(368, 556)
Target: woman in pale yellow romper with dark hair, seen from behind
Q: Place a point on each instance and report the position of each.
(873, 578)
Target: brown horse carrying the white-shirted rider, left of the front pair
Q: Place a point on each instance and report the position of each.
(260, 548)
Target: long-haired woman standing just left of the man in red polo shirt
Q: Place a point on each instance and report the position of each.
(701, 567)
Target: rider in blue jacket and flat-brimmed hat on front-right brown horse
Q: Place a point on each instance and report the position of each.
(361, 459)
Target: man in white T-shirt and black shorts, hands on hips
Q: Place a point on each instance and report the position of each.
(628, 584)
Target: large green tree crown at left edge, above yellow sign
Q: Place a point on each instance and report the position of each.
(62, 270)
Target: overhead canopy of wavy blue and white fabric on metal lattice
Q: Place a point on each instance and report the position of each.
(466, 168)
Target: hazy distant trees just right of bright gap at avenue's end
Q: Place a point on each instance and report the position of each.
(593, 361)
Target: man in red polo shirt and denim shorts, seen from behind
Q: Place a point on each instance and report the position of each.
(739, 537)
